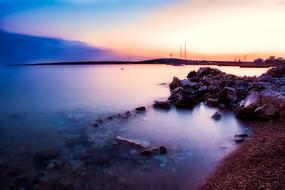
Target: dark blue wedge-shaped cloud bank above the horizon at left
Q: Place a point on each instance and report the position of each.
(21, 49)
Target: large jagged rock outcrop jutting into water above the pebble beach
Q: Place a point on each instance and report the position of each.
(253, 98)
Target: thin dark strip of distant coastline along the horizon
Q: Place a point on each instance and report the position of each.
(163, 61)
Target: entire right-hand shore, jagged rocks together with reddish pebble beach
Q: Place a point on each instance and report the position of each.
(259, 163)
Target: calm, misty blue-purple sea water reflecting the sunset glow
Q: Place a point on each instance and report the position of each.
(55, 106)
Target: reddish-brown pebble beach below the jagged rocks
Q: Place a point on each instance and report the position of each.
(258, 164)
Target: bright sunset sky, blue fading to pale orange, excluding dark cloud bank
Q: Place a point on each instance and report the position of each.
(211, 29)
